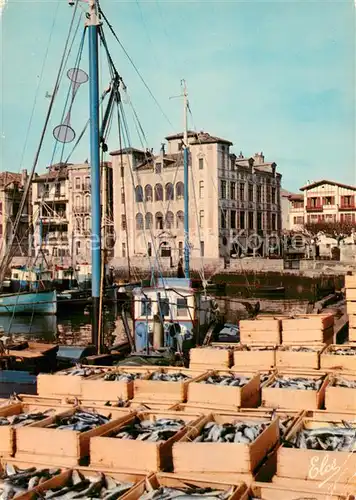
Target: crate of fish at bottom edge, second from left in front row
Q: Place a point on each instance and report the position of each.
(84, 484)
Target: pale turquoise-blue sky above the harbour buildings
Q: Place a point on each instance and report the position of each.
(277, 77)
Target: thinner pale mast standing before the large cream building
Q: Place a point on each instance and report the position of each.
(186, 181)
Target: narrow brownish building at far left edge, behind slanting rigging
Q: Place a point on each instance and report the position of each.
(11, 191)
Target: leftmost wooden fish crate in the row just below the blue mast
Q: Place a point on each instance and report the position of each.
(63, 385)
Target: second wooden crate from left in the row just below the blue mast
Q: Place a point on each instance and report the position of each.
(111, 390)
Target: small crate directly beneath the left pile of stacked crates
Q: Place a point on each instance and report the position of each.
(262, 357)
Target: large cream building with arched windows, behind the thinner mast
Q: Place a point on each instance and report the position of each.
(228, 196)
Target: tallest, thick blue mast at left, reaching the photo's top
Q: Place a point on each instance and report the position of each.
(93, 23)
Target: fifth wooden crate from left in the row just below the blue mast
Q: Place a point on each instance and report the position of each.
(297, 399)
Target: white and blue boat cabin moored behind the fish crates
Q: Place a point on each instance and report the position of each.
(182, 307)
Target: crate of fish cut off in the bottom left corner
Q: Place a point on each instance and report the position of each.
(23, 483)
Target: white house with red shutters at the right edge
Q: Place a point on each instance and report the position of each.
(323, 201)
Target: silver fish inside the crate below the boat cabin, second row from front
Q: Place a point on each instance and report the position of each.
(152, 431)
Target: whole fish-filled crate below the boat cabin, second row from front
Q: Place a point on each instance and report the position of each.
(140, 442)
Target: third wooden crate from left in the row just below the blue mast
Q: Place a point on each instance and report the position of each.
(151, 390)
